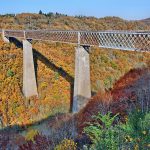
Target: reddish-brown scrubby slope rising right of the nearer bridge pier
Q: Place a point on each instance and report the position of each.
(131, 90)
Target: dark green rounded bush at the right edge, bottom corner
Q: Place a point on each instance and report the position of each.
(137, 129)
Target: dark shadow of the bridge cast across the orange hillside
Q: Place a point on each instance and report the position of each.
(38, 56)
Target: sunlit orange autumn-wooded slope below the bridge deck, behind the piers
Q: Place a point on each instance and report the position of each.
(55, 73)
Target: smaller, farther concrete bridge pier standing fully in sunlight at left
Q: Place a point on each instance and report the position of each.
(29, 79)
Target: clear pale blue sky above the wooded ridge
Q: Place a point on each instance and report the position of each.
(127, 9)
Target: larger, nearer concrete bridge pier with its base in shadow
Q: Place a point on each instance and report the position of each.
(82, 85)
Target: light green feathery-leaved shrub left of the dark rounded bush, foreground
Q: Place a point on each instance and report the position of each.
(103, 136)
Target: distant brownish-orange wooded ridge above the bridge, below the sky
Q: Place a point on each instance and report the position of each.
(64, 22)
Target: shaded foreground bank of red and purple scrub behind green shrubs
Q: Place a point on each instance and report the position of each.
(130, 91)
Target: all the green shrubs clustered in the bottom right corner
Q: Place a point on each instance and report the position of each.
(134, 134)
